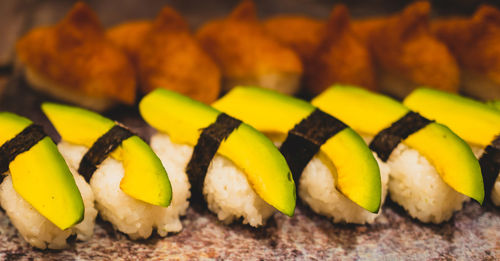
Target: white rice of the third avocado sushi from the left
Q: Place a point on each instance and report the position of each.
(226, 188)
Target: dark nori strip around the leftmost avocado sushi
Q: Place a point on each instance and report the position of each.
(22, 142)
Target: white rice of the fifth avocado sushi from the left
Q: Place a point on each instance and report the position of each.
(415, 185)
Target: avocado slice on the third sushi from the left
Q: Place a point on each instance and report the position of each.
(183, 120)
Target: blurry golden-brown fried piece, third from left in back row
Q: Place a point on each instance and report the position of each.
(247, 55)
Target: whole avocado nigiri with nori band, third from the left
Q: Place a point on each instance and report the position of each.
(232, 168)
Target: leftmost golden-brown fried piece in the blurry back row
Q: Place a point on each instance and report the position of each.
(74, 61)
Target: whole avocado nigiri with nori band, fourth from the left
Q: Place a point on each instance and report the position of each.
(336, 173)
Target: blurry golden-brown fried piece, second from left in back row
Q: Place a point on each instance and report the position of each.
(166, 55)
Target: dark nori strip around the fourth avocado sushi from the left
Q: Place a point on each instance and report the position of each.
(305, 139)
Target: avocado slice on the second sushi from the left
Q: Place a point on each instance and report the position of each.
(145, 177)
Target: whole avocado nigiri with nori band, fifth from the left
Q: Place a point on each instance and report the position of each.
(432, 170)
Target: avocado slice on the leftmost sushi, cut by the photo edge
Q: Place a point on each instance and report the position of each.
(41, 176)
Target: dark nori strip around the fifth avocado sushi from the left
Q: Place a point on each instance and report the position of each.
(388, 139)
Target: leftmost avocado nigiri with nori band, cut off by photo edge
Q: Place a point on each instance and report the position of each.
(44, 200)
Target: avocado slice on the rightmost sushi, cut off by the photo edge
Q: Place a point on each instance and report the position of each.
(474, 121)
